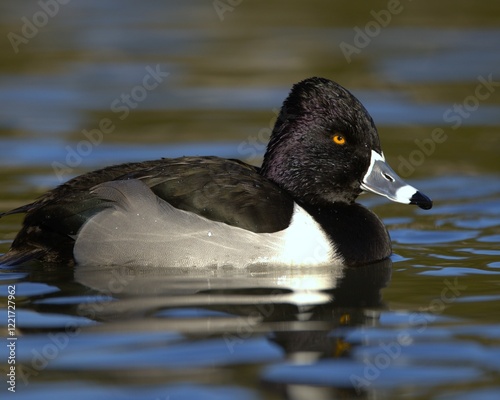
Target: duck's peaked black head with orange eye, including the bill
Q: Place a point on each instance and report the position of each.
(325, 148)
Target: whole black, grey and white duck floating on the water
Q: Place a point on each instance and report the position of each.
(298, 208)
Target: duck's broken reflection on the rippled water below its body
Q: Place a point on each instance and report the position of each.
(306, 313)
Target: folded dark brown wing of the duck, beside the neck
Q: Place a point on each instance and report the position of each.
(222, 190)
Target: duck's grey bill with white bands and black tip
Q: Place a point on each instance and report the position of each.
(381, 179)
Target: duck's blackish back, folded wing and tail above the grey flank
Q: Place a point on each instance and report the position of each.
(228, 191)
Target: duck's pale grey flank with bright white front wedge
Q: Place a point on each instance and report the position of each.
(143, 230)
